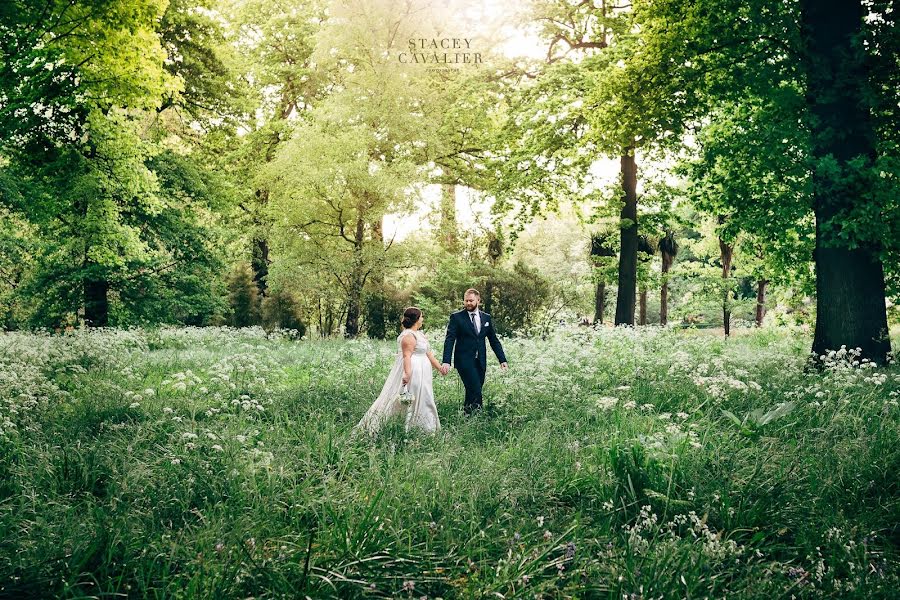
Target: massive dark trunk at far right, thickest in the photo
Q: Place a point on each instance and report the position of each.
(850, 288)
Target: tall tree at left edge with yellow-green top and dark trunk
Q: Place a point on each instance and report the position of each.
(68, 68)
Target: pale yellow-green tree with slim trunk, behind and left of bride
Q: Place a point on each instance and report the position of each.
(331, 182)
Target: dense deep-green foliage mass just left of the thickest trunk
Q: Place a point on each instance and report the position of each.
(747, 171)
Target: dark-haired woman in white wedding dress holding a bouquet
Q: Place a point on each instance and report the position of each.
(412, 372)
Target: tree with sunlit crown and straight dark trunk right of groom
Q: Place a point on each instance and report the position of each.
(597, 97)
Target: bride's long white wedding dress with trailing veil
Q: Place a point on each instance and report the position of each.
(421, 413)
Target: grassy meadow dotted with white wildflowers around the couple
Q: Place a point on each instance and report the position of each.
(219, 463)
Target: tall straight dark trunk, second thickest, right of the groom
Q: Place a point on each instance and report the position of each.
(625, 298)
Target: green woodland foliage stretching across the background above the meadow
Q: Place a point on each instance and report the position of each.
(147, 144)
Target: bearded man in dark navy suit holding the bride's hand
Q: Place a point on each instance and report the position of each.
(467, 330)
